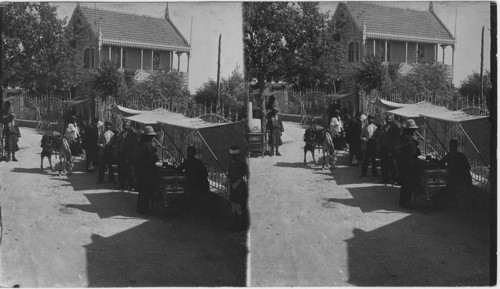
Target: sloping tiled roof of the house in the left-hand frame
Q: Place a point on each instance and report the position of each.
(143, 31)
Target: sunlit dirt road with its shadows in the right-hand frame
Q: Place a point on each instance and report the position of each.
(315, 228)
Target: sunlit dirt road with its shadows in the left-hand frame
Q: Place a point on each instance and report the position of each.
(70, 232)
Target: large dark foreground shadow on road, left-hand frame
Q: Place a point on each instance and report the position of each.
(173, 253)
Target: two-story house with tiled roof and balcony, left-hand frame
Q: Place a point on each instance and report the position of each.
(130, 41)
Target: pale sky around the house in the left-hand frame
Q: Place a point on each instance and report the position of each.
(209, 20)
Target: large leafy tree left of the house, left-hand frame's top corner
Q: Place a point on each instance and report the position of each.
(38, 53)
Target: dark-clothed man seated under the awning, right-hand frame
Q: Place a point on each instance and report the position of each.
(459, 177)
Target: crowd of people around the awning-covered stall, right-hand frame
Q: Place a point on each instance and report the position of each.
(397, 150)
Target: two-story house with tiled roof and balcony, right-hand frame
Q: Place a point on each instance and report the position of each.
(405, 36)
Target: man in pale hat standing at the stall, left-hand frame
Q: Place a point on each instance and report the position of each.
(145, 169)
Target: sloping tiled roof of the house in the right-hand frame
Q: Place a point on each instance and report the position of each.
(404, 23)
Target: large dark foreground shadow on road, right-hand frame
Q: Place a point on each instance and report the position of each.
(444, 252)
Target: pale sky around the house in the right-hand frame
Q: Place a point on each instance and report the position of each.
(471, 17)
